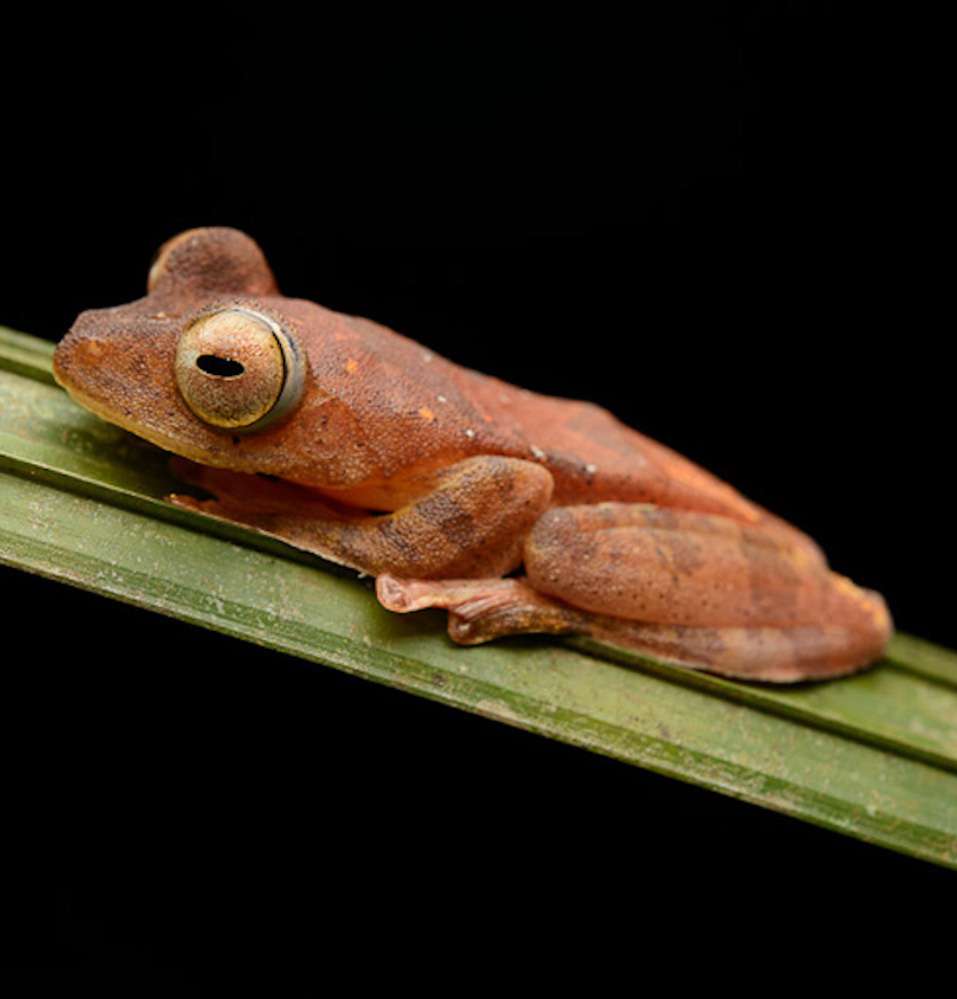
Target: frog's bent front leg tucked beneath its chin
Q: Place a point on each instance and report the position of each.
(472, 523)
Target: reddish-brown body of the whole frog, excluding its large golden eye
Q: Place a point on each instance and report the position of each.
(439, 479)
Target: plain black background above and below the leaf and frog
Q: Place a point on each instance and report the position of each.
(724, 228)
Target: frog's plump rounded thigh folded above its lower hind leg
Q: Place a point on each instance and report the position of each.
(665, 566)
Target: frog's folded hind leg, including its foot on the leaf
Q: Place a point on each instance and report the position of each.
(750, 601)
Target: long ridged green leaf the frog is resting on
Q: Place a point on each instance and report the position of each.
(873, 756)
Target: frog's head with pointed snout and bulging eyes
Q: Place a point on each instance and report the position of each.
(207, 359)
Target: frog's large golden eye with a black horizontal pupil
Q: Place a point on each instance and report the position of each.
(238, 370)
